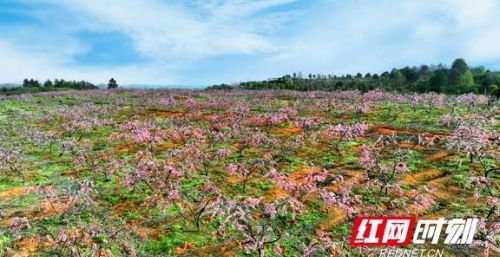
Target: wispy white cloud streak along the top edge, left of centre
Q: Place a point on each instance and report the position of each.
(163, 31)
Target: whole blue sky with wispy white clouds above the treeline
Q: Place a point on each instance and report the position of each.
(202, 42)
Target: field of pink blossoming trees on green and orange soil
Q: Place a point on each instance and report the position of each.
(239, 173)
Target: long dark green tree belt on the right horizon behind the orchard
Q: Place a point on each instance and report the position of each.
(457, 79)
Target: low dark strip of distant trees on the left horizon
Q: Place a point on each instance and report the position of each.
(34, 86)
